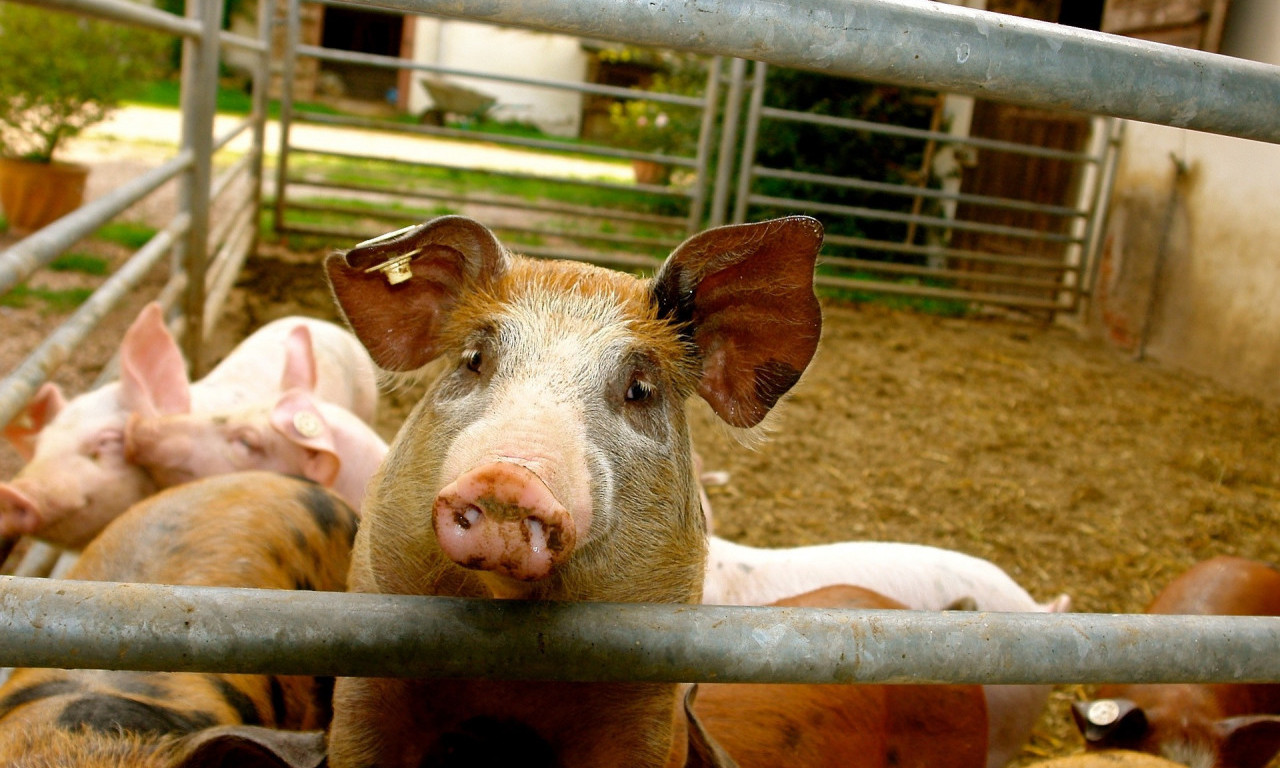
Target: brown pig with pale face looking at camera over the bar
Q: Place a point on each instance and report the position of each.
(551, 459)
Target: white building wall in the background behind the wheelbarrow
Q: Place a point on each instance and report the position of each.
(468, 45)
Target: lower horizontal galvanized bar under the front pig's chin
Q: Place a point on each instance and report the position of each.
(113, 627)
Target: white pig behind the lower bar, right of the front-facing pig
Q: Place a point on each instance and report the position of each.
(921, 578)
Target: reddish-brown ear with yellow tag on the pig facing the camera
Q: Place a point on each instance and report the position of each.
(397, 290)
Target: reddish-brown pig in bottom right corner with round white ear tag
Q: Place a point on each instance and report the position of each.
(1222, 725)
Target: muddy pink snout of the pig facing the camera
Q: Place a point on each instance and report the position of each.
(502, 518)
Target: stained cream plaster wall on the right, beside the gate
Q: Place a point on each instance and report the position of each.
(1217, 227)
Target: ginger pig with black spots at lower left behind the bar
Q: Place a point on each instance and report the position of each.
(260, 531)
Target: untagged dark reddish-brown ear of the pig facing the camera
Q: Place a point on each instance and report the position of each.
(744, 296)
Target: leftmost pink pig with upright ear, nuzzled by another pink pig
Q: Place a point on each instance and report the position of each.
(77, 478)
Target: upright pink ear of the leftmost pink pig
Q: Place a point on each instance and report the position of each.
(153, 373)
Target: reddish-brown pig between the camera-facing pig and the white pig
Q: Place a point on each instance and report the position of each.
(842, 726)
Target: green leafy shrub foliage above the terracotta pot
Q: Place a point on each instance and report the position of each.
(63, 74)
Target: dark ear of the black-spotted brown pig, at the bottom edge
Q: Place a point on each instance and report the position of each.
(253, 747)
